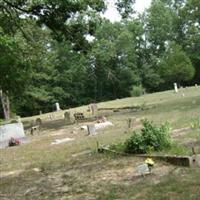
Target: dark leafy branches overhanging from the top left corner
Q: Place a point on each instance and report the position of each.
(68, 20)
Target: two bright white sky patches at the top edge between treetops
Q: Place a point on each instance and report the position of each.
(113, 15)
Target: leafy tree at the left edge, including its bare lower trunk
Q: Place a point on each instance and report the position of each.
(14, 67)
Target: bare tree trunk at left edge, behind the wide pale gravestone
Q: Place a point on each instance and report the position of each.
(5, 104)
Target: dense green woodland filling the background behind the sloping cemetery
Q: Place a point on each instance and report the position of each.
(66, 51)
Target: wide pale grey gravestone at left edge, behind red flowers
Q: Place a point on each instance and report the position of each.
(8, 131)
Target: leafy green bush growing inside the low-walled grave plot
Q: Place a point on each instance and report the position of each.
(151, 138)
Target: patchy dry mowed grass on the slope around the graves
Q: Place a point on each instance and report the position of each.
(73, 170)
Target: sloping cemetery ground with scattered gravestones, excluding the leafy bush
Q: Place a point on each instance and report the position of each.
(77, 152)
